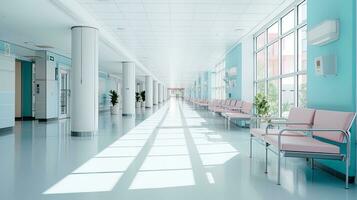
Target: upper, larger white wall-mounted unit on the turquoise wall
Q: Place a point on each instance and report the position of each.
(324, 33)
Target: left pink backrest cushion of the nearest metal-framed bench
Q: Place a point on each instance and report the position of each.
(301, 115)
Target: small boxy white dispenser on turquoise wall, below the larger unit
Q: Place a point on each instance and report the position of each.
(325, 65)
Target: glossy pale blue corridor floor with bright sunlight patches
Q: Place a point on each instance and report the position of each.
(174, 153)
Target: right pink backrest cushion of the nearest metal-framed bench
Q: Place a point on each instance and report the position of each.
(326, 119)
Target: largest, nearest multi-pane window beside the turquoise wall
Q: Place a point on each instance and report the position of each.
(281, 61)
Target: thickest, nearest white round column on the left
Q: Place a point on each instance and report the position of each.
(84, 119)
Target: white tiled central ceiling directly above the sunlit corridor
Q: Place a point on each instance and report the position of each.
(176, 39)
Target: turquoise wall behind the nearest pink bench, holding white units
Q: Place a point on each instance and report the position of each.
(334, 92)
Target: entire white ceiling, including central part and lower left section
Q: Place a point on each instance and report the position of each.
(173, 39)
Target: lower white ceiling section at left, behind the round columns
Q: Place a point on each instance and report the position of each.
(31, 22)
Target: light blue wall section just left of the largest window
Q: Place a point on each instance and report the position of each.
(234, 59)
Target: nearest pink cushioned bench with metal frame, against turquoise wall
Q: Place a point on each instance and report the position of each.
(307, 133)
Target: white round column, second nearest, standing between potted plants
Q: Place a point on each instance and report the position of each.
(128, 88)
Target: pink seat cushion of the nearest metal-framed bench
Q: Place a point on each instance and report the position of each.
(302, 144)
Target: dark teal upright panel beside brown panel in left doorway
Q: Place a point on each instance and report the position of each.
(26, 83)
